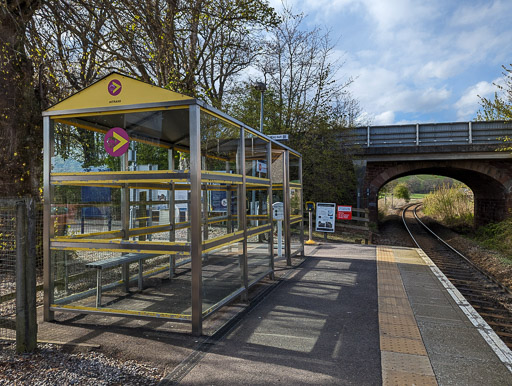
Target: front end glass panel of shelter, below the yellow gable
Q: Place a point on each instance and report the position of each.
(132, 204)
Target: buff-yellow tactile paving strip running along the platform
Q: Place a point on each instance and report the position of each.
(404, 359)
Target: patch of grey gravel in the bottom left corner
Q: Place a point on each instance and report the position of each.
(50, 365)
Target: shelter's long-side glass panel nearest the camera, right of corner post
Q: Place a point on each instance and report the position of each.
(222, 225)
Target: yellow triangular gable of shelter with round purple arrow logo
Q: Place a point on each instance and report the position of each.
(117, 90)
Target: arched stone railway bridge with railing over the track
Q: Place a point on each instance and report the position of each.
(468, 151)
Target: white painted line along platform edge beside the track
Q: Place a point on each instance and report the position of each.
(492, 339)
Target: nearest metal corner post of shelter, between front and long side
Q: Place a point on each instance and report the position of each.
(195, 219)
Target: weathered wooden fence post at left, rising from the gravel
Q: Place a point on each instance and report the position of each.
(26, 327)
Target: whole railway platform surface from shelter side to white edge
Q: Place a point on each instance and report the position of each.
(356, 314)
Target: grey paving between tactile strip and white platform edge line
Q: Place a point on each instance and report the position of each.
(458, 353)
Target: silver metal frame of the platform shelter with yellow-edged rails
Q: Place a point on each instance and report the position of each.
(197, 181)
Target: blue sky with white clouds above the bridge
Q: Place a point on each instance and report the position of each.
(417, 60)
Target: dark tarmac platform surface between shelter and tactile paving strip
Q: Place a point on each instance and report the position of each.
(320, 327)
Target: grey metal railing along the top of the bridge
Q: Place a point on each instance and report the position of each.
(433, 134)
